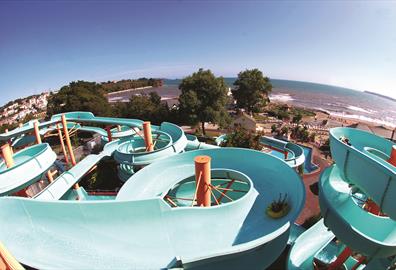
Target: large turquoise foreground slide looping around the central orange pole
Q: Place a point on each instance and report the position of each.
(140, 230)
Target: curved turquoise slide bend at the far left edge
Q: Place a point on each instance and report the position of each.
(30, 164)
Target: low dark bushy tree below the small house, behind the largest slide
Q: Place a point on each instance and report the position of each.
(241, 137)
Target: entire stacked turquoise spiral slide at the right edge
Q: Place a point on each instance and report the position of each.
(361, 172)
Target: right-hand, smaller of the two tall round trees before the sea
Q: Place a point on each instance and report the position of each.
(252, 89)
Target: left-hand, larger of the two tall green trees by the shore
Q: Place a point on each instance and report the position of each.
(203, 99)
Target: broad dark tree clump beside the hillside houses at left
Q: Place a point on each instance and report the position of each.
(79, 96)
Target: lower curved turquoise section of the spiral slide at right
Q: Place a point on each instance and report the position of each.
(371, 235)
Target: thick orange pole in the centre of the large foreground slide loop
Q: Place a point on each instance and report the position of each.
(203, 180)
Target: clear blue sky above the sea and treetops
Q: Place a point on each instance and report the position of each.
(46, 44)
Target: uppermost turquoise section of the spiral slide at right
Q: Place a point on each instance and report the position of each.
(363, 164)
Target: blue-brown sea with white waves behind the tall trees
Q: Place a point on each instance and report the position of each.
(337, 101)
